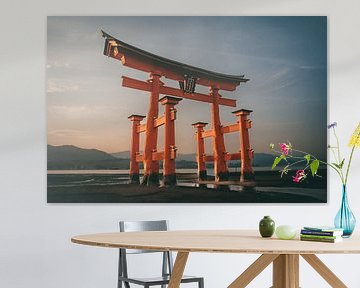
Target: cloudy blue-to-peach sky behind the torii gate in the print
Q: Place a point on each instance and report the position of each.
(285, 59)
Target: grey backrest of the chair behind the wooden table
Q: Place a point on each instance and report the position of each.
(137, 226)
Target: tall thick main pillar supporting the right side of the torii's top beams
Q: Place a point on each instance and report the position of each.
(220, 167)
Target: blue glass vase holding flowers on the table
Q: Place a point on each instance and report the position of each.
(345, 219)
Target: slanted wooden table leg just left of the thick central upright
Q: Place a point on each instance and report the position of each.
(253, 270)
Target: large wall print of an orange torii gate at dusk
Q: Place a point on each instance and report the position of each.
(186, 109)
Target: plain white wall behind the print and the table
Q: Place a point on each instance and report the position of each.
(35, 248)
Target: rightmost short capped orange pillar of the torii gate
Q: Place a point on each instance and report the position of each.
(246, 153)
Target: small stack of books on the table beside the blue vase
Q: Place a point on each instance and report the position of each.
(321, 234)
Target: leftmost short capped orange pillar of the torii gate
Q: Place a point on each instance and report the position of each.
(135, 146)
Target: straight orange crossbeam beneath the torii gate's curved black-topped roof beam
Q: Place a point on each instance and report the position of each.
(145, 86)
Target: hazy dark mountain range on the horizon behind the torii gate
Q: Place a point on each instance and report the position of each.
(69, 157)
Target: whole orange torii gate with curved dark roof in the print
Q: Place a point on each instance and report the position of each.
(188, 76)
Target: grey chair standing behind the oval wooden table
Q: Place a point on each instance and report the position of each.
(167, 263)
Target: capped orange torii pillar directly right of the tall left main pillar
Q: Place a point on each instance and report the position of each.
(169, 173)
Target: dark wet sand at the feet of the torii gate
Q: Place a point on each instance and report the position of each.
(268, 188)
